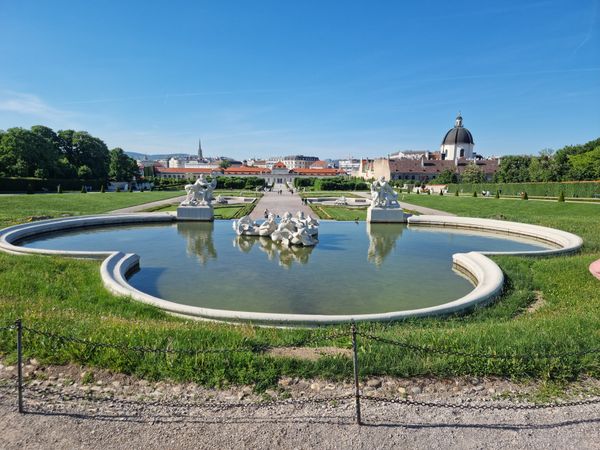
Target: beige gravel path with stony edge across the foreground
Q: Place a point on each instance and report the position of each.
(140, 414)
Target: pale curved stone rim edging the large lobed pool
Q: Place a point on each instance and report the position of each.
(484, 272)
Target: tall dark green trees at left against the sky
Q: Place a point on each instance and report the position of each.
(42, 153)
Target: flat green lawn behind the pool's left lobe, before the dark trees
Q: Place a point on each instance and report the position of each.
(18, 208)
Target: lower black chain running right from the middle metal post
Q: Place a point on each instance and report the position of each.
(482, 406)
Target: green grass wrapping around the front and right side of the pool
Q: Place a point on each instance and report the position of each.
(67, 296)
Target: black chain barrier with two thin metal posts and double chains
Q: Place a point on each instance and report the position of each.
(41, 393)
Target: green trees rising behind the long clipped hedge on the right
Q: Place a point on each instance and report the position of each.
(570, 163)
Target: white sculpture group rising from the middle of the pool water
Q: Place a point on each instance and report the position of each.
(301, 230)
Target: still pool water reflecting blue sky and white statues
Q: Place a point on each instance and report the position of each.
(354, 269)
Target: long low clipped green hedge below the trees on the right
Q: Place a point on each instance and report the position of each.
(569, 188)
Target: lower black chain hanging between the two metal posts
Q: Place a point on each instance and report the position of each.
(157, 403)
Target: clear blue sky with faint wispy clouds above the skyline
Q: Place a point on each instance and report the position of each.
(325, 78)
